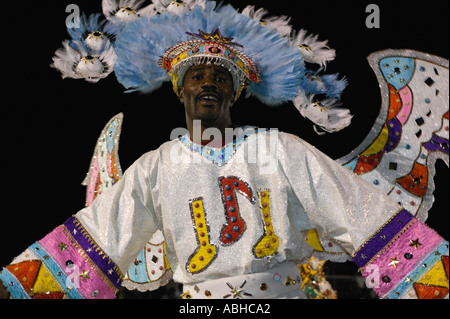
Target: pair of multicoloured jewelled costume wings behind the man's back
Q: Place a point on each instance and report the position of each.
(398, 156)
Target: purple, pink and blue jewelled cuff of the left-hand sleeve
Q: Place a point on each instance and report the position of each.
(66, 263)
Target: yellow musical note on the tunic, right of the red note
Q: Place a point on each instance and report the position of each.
(268, 244)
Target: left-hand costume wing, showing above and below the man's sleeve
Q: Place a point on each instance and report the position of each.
(150, 269)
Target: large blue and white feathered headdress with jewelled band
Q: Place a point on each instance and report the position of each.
(146, 46)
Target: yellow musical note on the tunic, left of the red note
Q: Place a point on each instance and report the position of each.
(206, 251)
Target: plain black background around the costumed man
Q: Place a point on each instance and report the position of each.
(50, 125)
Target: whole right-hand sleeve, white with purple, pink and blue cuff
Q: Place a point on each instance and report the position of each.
(399, 256)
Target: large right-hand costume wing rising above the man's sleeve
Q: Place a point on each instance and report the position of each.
(411, 132)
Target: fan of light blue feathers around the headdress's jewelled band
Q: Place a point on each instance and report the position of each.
(141, 43)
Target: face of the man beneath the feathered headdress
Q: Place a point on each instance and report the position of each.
(207, 94)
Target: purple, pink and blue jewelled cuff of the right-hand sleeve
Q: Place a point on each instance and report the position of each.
(405, 259)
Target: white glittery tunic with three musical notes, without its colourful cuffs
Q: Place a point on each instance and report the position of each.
(241, 209)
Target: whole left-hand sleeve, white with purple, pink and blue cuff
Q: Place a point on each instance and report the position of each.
(86, 257)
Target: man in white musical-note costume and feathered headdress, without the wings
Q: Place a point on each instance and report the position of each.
(235, 212)
